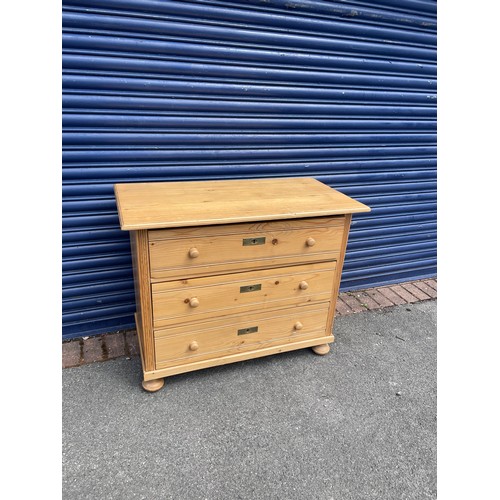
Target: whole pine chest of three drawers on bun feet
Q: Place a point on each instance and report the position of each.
(231, 270)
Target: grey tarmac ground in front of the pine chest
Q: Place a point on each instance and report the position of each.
(358, 423)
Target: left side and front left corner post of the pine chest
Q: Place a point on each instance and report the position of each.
(144, 313)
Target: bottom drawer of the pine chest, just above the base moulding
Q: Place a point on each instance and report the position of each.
(203, 340)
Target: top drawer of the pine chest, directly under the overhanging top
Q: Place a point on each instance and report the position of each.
(203, 251)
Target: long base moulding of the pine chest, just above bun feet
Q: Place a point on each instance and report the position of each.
(234, 358)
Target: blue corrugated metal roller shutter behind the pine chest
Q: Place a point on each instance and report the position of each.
(173, 90)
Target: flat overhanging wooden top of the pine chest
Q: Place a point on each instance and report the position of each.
(154, 205)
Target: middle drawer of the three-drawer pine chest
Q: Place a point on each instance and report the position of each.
(200, 298)
